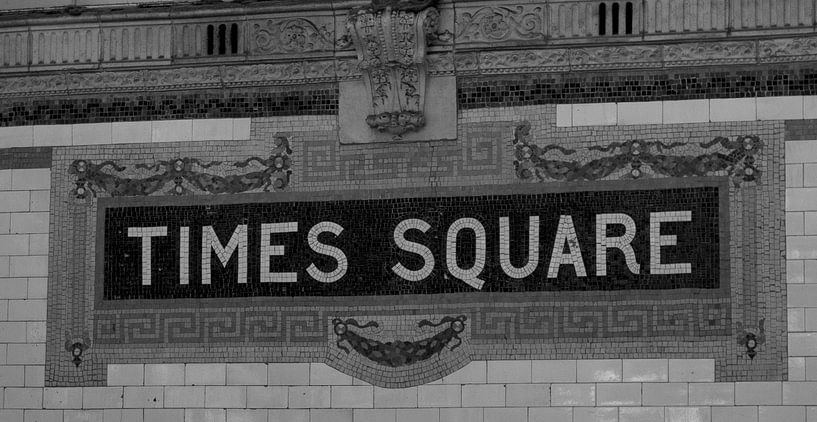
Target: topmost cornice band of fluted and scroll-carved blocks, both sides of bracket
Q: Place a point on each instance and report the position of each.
(165, 35)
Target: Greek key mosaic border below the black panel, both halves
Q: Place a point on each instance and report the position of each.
(683, 318)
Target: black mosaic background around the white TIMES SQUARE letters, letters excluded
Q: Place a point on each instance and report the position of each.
(367, 241)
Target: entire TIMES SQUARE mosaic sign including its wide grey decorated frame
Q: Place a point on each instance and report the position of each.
(271, 252)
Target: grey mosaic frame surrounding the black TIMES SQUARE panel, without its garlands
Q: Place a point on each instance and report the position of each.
(604, 324)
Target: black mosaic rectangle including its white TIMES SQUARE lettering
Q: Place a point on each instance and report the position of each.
(555, 241)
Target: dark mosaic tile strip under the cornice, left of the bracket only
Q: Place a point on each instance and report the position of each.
(34, 104)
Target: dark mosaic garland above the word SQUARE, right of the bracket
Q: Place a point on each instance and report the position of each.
(636, 159)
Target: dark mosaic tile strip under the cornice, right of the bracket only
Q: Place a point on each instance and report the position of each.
(642, 85)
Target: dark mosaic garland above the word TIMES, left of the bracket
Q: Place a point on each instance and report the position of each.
(185, 174)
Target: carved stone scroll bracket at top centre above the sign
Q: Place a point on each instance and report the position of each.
(391, 39)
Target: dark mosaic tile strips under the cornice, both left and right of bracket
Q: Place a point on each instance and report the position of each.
(472, 92)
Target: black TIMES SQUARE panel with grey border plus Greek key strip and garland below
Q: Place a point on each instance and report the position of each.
(281, 270)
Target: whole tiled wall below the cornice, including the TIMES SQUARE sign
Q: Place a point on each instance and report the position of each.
(670, 278)
